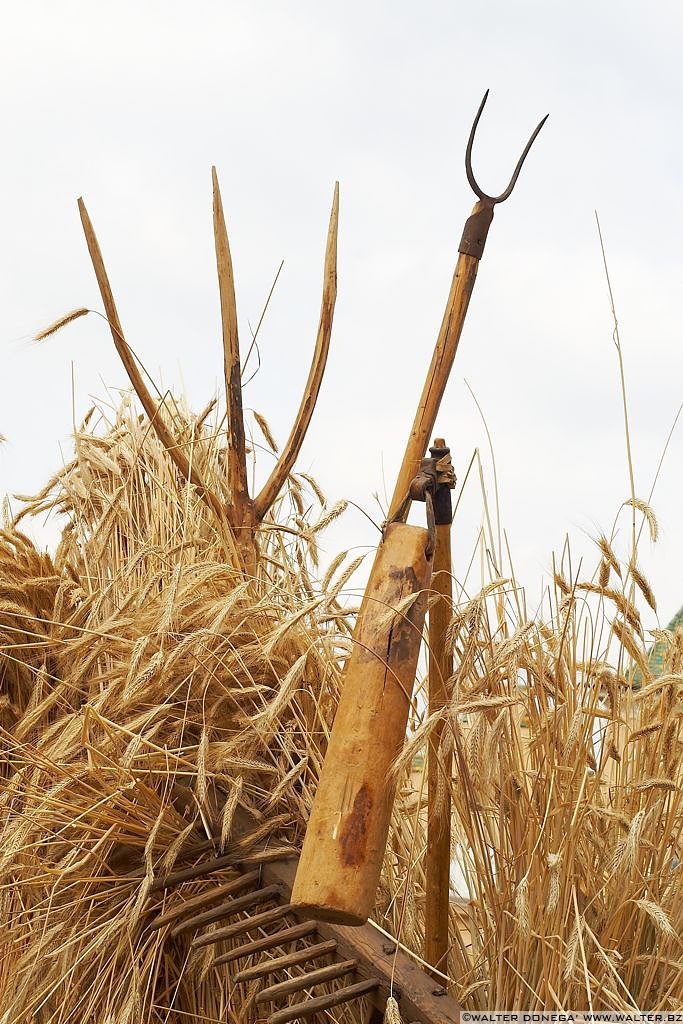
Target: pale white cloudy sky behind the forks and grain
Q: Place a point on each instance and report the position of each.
(131, 104)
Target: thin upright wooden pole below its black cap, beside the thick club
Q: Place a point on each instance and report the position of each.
(439, 818)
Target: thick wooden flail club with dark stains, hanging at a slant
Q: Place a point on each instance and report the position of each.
(344, 849)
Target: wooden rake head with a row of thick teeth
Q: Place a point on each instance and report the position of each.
(289, 958)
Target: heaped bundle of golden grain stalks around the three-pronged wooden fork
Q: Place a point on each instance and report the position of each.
(152, 691)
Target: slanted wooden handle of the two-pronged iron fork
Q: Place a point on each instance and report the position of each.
(438, 377)
